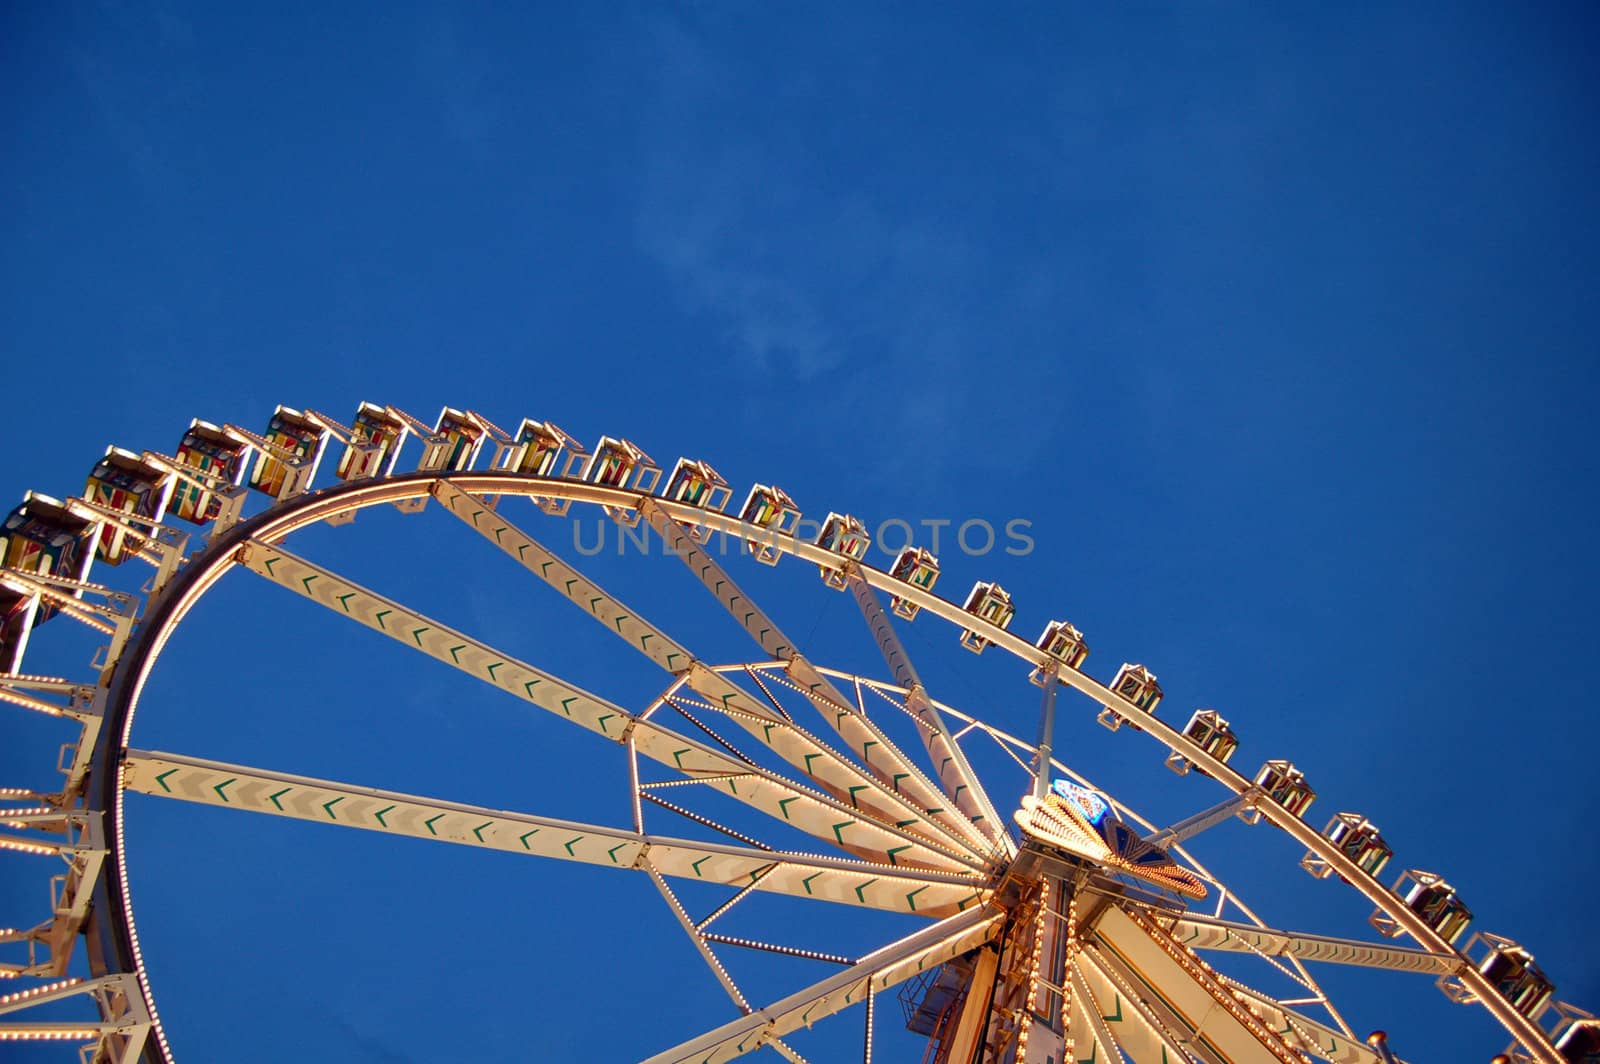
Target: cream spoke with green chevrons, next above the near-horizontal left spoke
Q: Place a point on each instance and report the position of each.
(818, 815)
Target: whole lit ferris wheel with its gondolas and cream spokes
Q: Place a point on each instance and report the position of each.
(1054, 921)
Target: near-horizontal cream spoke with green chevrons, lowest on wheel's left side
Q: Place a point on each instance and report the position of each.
(346, 806)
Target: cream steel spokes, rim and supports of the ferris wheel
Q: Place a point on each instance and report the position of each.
(1044, 954)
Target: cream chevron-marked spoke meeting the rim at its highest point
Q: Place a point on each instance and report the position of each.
(826, 767)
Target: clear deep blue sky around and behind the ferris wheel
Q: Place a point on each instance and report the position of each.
(1276, 324)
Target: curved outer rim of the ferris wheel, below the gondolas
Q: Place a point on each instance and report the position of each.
(113, 932)
